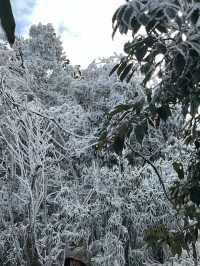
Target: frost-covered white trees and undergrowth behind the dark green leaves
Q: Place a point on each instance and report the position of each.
(57, 192)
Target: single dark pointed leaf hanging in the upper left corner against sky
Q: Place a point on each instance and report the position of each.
(7, 20)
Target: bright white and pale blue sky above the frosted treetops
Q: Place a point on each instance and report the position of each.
(84, 25)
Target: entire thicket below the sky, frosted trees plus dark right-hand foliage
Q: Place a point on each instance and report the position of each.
(62, 194)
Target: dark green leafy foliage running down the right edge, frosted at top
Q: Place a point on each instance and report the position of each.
(169, 47)
